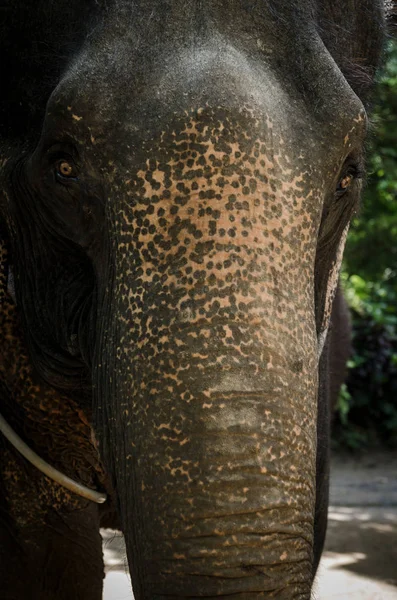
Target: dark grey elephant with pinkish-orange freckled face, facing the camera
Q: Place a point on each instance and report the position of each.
(177, 183)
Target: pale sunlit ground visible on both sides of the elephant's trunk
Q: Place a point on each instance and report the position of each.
(360, 557)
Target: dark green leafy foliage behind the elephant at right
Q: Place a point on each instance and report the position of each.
(367, 407)
